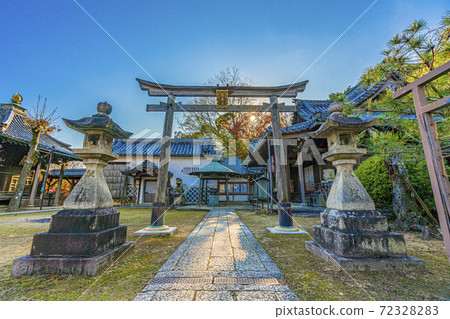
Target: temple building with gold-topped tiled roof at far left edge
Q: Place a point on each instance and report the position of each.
(15, 140)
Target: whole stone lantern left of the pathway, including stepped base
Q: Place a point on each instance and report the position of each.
(85, 237)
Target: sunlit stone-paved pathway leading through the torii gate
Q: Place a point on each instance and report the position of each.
(219, 260)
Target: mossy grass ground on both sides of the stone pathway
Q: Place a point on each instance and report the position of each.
(310, 278)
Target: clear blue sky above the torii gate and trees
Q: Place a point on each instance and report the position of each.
(54, 49)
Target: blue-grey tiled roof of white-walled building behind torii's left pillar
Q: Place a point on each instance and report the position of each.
(180, 147)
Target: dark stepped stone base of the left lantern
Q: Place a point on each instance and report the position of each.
(79, 242)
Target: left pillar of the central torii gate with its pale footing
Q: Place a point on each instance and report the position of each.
(157, 226)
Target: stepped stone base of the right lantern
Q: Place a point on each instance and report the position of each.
(360, 240)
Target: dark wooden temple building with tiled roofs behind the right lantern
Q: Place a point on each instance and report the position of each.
(309, 179)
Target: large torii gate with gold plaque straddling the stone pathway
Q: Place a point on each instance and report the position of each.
(222, 93)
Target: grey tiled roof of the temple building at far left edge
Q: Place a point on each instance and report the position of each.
(13, 127)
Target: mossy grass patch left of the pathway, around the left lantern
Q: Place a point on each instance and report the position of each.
(123, 281)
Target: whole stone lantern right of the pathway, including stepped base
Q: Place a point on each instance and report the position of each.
(353, 233)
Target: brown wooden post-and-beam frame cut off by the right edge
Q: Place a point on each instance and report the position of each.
(430, 140)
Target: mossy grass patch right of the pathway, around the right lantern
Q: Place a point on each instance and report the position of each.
(313, 279)
